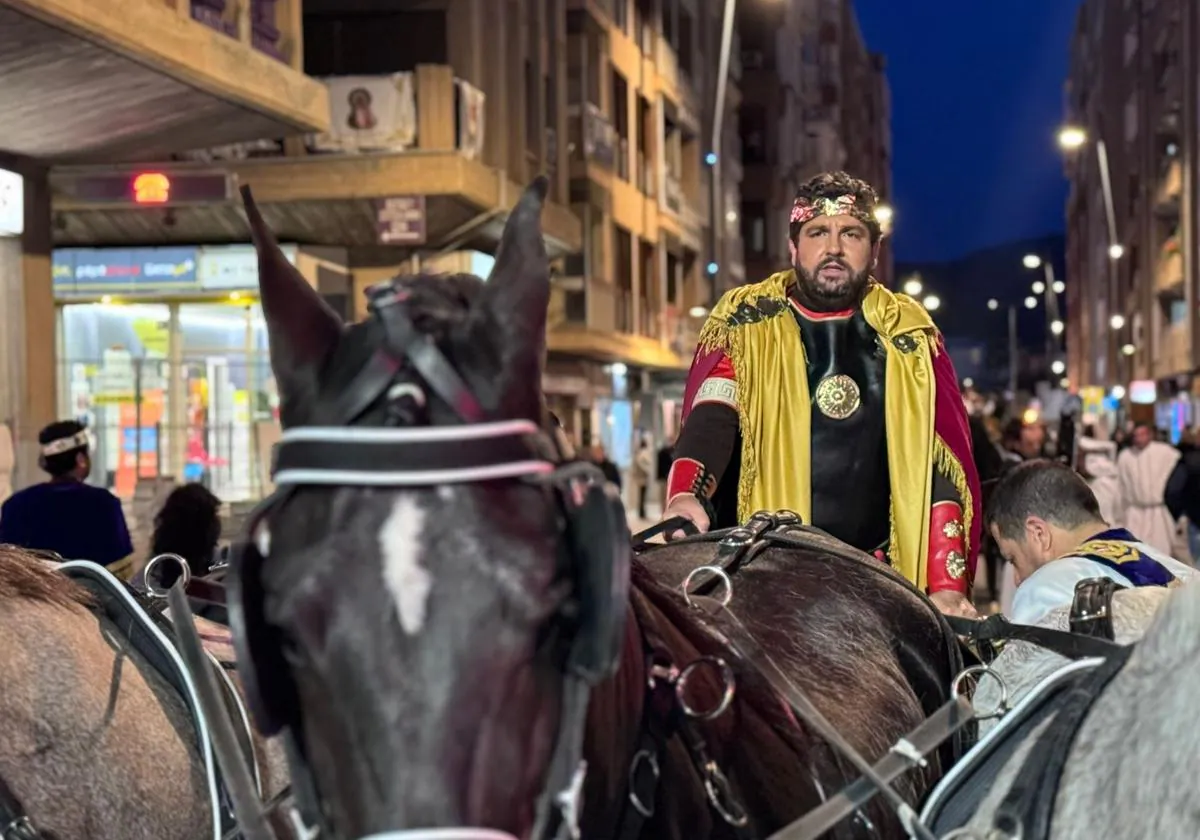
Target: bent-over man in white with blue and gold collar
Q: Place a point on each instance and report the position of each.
(1048, 525)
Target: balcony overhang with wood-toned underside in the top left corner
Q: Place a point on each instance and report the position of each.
(143, 80)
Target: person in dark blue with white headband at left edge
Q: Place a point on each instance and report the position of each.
(67, 515)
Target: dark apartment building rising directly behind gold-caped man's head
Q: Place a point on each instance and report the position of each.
(814, 99)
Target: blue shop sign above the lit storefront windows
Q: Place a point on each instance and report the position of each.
(85, 272)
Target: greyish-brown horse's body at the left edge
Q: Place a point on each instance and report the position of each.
(94, 742)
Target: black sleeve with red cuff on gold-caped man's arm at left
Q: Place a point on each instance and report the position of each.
(709, 437)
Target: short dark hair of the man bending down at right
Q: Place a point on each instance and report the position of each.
(1043, 489)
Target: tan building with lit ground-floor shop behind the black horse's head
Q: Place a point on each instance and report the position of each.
(436, 116)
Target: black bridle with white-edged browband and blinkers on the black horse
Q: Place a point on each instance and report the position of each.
(595, 545)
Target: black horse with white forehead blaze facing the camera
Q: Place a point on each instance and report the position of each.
(412, 619)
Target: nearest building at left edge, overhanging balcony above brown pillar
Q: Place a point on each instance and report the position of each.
(104, 83)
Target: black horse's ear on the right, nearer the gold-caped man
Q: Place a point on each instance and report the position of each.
(518, 292)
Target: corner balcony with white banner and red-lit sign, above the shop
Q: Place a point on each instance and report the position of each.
(399, 170)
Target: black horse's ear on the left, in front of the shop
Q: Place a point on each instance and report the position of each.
(301, 327)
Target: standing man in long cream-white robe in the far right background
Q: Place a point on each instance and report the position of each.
(1143, 471)
